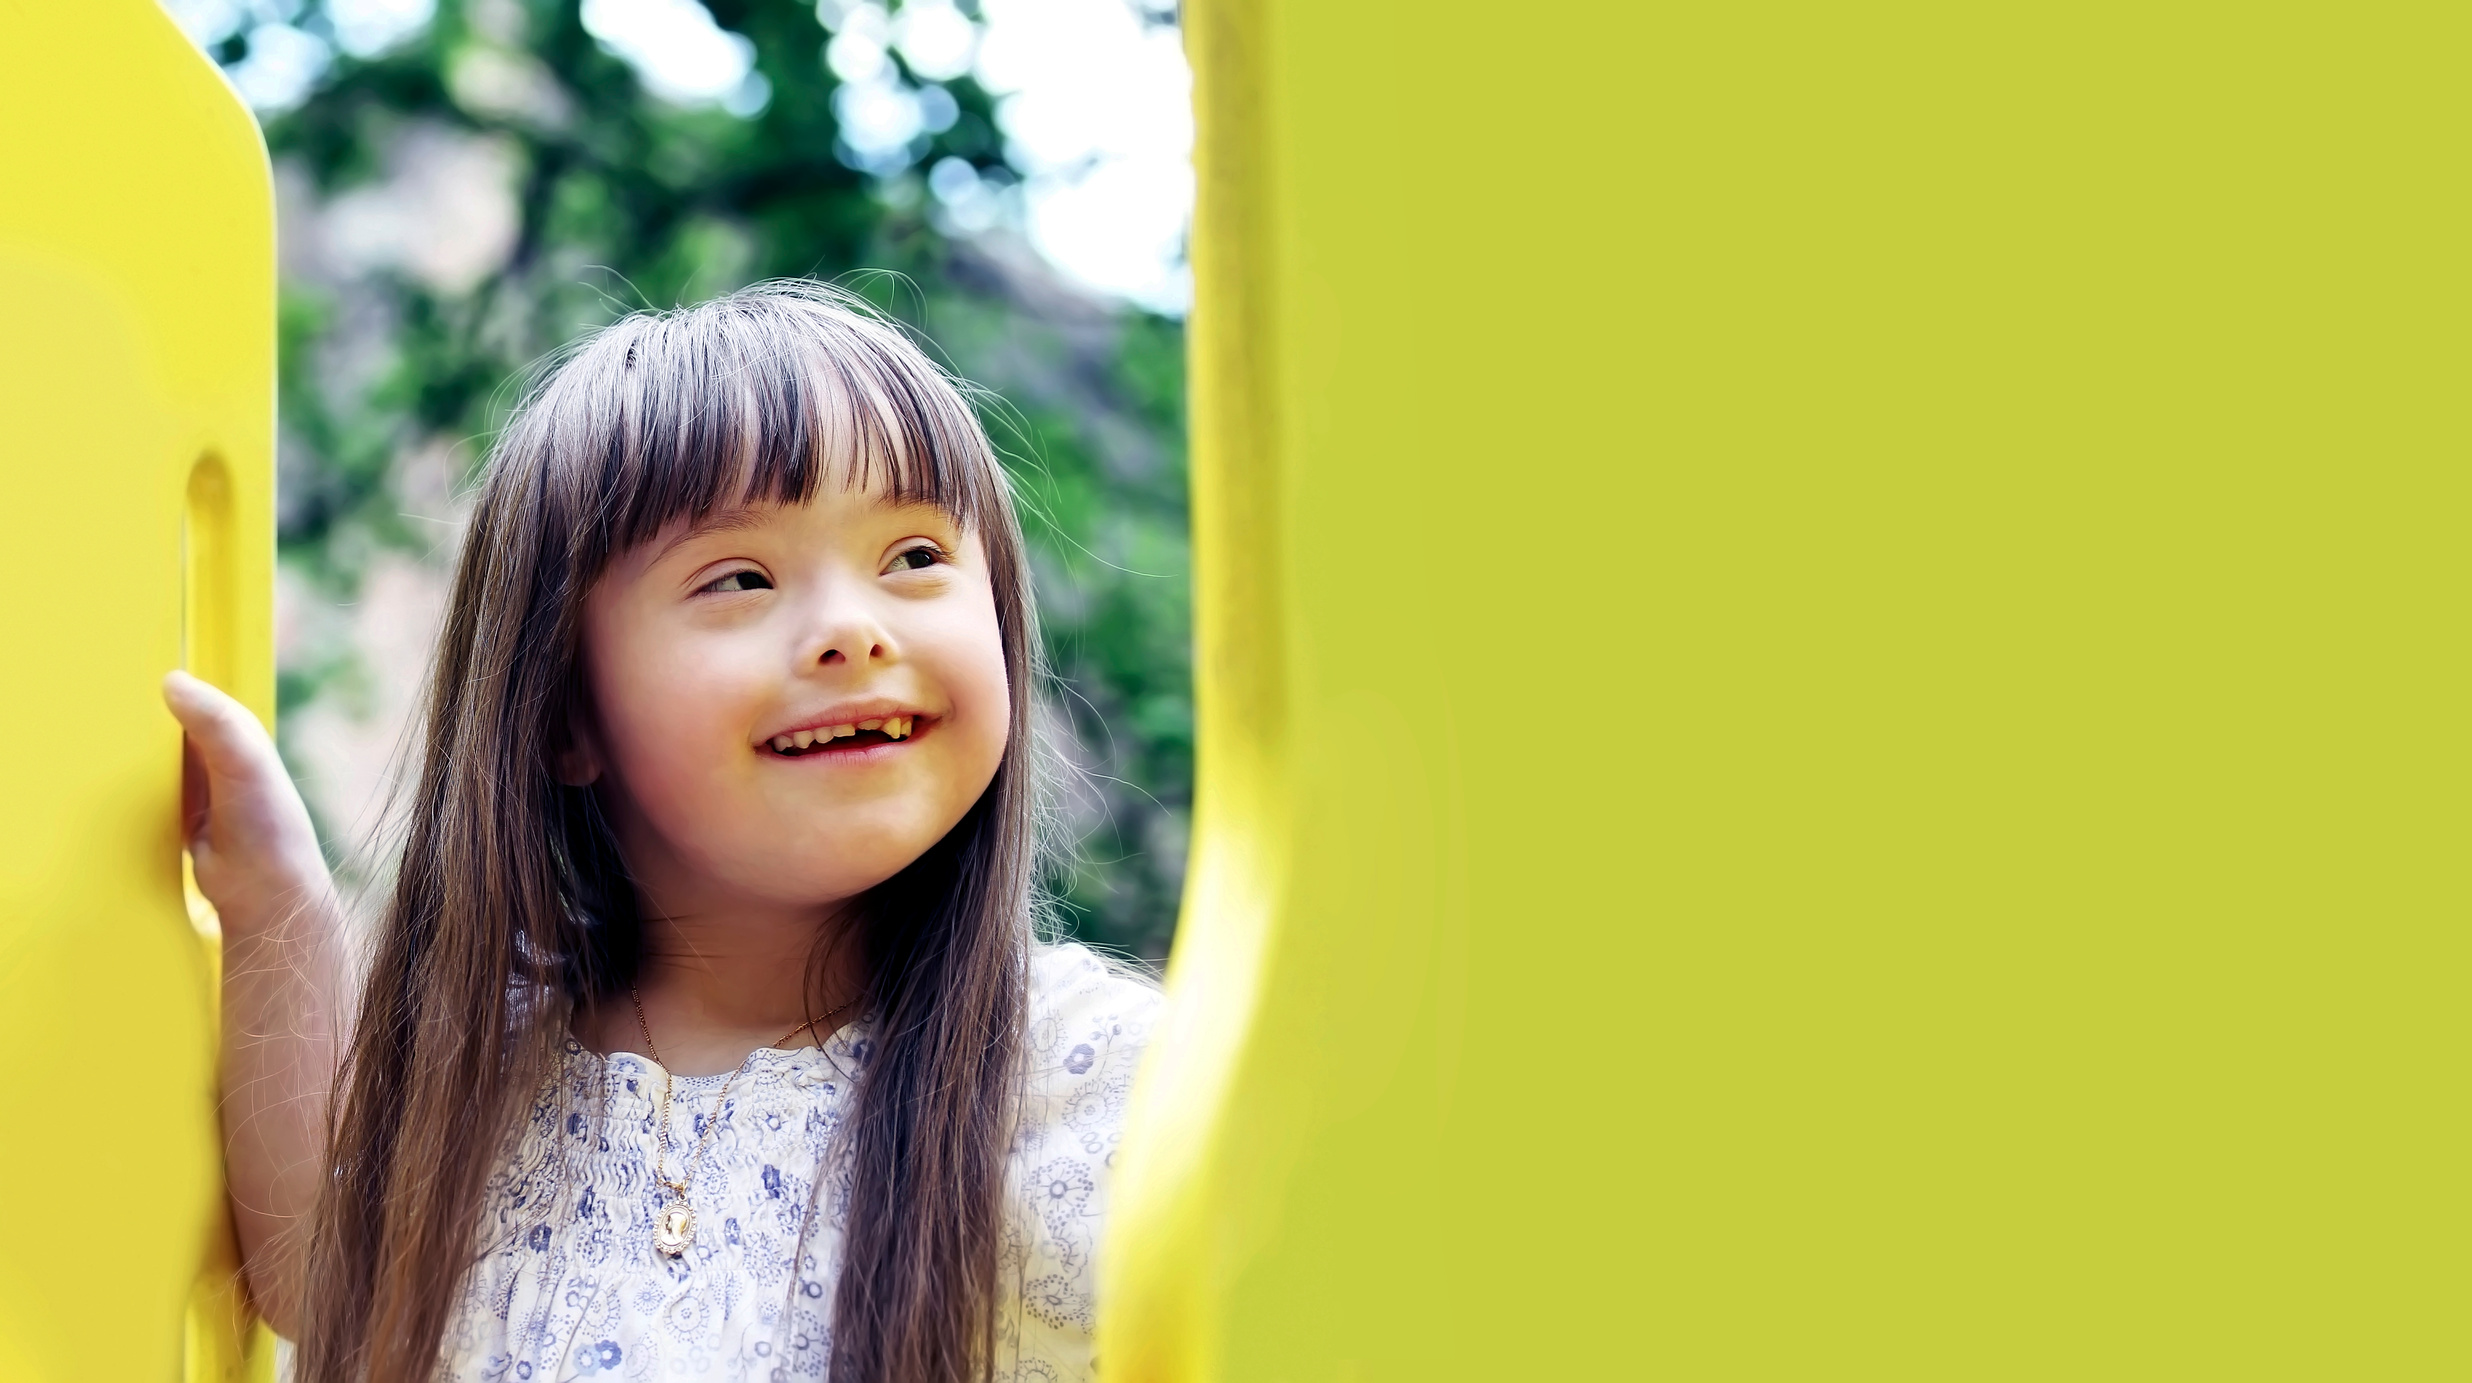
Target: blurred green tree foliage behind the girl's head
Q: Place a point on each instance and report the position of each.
(624, 202)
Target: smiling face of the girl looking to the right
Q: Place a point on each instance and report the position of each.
(726, 657)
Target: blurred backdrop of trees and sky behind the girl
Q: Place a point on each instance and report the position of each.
(468, 184)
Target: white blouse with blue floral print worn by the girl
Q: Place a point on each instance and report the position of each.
(572, 1285)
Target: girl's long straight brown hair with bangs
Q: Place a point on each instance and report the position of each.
(513, 902)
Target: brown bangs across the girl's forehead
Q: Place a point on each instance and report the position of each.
(763, 397)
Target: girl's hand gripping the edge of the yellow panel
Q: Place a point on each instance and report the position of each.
(246, 825)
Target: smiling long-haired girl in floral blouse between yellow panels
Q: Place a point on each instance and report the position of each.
(703, 1030)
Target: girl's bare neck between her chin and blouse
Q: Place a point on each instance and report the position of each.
(718, 986)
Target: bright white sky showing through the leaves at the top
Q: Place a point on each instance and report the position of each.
(1094, 103)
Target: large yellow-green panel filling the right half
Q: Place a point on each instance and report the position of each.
(1833, 699)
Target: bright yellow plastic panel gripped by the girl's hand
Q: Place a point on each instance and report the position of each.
(137, 439)
